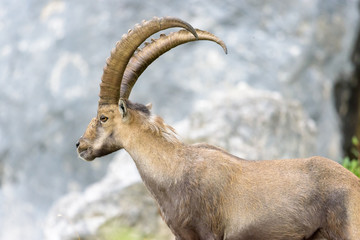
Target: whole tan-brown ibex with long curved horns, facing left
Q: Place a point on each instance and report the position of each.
(204, 192)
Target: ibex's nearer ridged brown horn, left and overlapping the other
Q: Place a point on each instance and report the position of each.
(125, 48)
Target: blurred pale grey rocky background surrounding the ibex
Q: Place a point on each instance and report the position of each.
(286, 89)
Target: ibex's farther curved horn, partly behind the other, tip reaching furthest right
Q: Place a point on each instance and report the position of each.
(145, 56)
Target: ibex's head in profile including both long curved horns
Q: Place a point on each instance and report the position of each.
(116, 115)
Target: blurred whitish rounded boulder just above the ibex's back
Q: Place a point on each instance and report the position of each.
(252, 124)
